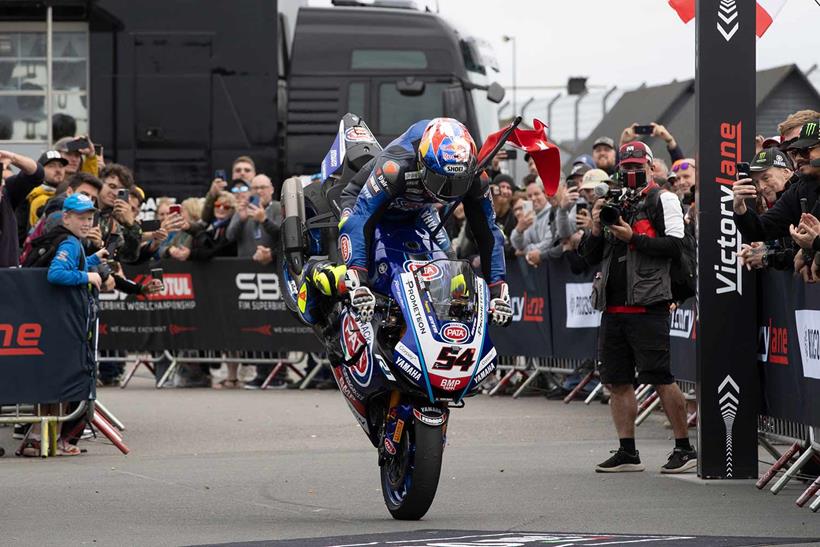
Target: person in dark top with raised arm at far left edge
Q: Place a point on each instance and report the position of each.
(13, 192)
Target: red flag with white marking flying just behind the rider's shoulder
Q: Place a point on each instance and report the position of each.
(534, 141)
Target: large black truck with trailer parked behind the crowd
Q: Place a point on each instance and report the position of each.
(179, 88)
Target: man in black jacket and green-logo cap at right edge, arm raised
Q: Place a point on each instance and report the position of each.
(786, 216)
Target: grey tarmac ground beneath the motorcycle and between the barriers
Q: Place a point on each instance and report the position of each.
(214, 467)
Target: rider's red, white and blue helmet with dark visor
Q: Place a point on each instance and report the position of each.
(447, 154)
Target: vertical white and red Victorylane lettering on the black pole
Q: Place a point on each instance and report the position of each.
(728, 272)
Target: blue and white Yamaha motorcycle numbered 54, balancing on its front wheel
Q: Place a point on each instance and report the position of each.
(427, 347)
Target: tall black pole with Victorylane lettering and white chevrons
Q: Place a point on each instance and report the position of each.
(728, 390)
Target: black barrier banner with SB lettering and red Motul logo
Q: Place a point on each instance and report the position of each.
(222, 305)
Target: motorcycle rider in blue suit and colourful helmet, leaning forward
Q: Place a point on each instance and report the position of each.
(430, 163)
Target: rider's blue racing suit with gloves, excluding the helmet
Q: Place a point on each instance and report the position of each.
(394, 192)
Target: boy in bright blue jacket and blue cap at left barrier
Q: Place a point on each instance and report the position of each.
(70, 265)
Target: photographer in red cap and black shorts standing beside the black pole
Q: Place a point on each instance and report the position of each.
(636, 244)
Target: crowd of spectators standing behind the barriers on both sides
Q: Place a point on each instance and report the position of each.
(72, 191)
